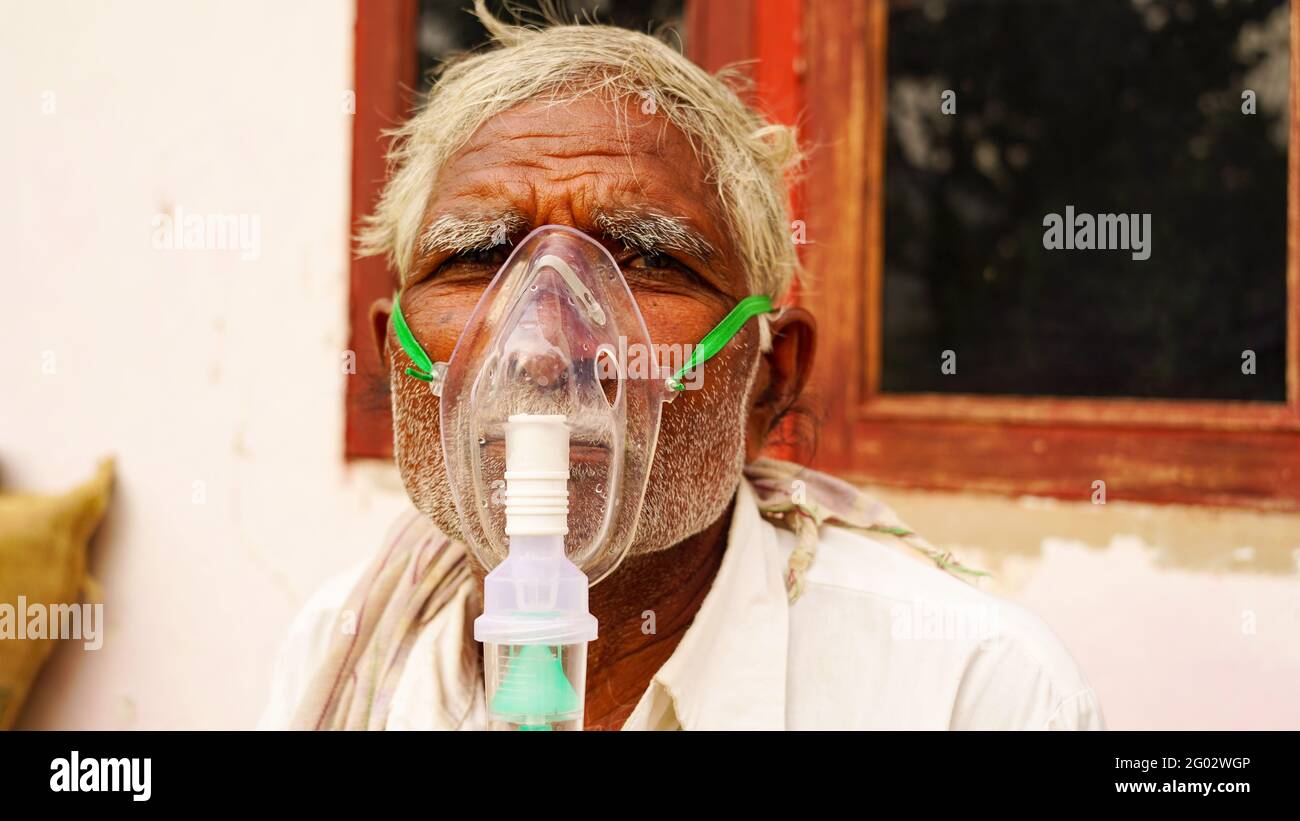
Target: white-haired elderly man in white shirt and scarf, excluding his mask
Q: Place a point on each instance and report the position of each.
(755, 594)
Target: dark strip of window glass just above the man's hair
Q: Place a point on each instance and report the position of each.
(449, 28)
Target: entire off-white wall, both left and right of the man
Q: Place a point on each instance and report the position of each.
(198, 367)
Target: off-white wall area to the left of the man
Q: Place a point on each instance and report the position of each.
(187, 366)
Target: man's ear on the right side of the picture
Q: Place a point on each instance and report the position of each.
(788, 367)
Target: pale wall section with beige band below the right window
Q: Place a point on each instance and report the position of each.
(1182, 618)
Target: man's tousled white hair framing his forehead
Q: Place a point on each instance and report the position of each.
(746, 157)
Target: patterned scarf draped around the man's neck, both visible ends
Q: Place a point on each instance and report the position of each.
(421, 571)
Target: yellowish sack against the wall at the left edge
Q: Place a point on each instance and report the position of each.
(42, 559)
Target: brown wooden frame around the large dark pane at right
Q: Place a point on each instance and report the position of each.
(1240, 454)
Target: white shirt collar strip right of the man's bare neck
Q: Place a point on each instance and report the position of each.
(730, 670)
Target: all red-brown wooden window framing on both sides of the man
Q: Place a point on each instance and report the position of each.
(822, 64)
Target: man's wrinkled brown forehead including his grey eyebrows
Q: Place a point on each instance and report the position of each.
(617, 171)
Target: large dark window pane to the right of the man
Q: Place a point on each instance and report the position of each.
(1111, 107)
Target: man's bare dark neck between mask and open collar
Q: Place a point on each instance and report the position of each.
(644, 610)
